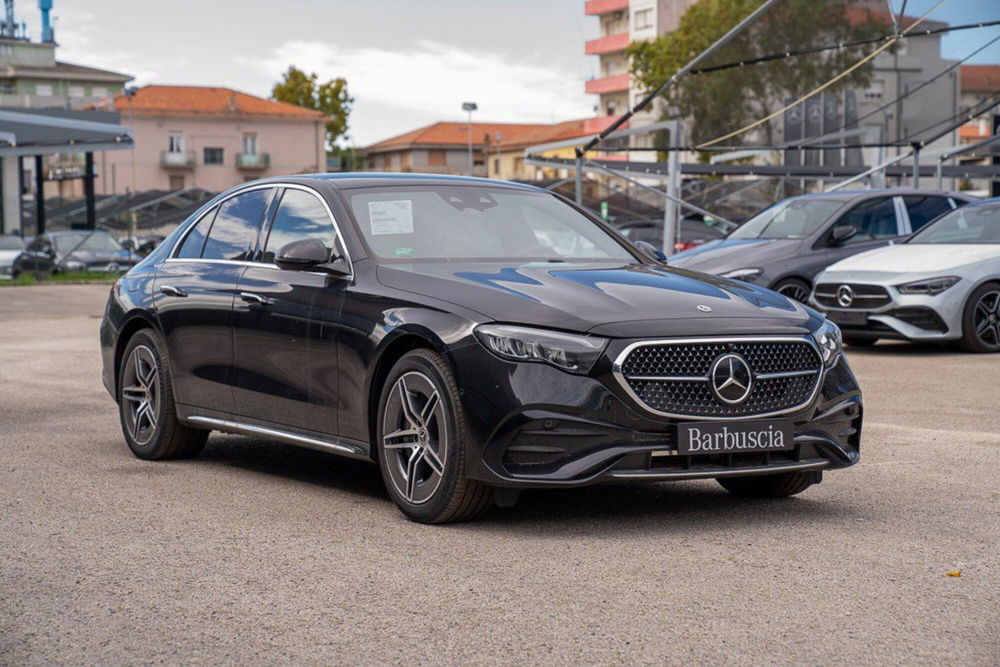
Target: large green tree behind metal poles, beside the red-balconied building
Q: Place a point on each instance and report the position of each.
(720, 102)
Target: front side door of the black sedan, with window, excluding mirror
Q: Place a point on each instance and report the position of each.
(286, 372)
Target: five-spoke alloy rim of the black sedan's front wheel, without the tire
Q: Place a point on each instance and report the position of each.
(415, 437)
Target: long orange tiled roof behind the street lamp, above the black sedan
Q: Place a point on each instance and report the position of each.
(457, 134)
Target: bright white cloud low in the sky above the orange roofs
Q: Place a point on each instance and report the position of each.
(430, 79)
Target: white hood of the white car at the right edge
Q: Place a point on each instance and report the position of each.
(919, 257)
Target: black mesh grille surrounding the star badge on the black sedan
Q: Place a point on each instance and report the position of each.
(673, 378)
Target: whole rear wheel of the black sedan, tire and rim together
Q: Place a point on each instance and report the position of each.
(163, 436)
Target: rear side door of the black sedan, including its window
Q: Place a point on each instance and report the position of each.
(194, 298)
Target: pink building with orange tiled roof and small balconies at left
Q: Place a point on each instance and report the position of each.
(211, 138)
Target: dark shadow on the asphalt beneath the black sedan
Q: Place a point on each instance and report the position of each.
(606, 509)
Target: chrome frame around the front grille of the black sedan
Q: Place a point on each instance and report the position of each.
(616, 371)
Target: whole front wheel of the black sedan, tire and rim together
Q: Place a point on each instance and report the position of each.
(438, 441)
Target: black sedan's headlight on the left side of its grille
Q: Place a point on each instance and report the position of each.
(569, 352)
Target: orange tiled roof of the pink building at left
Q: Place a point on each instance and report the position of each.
(208, 101)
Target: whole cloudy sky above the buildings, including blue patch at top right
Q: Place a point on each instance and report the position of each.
(407, 62)
